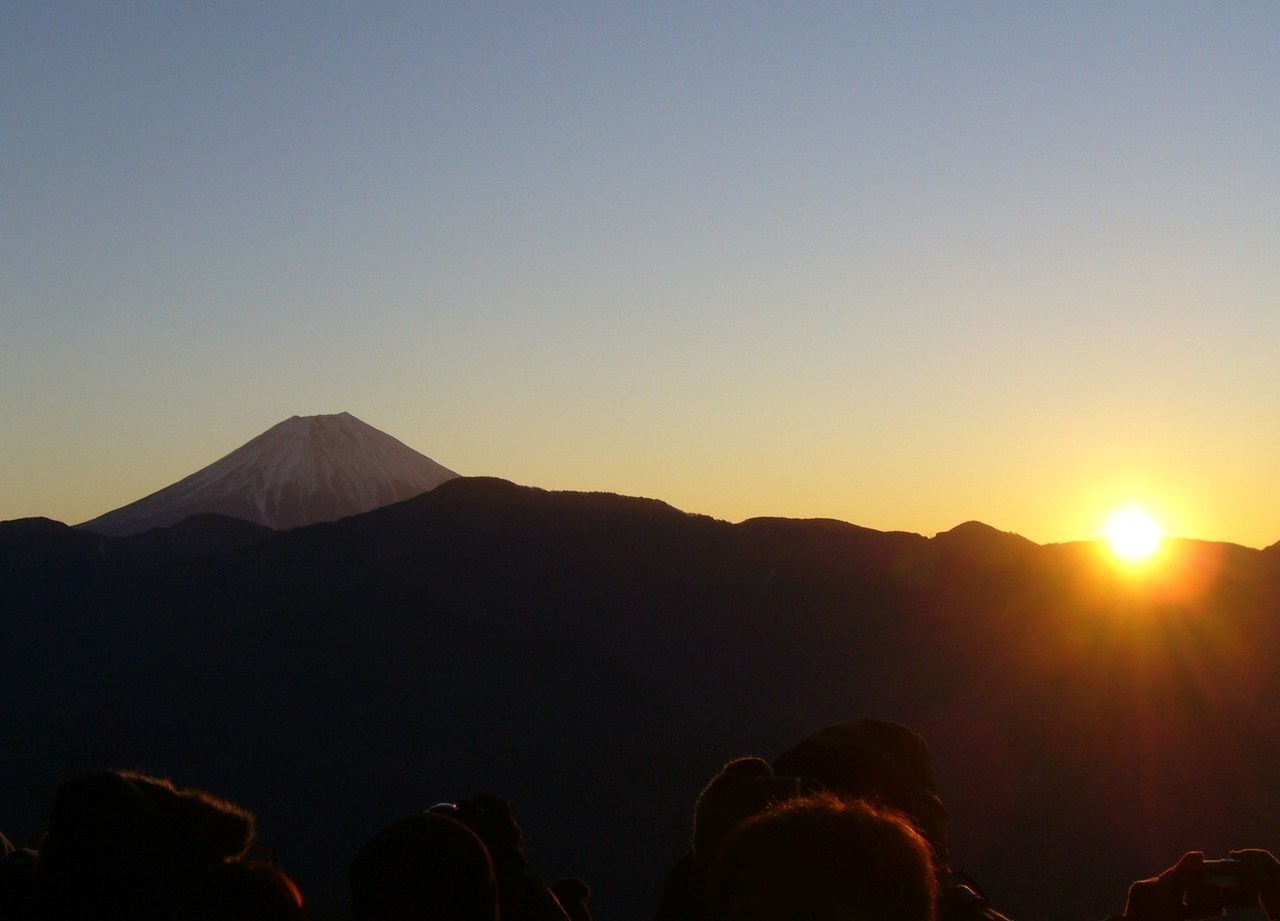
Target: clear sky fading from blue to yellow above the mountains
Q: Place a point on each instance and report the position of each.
(899, 264)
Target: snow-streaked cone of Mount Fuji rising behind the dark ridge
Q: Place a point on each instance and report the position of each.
(301, 471)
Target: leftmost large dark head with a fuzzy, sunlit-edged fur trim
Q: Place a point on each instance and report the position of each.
(122, 845)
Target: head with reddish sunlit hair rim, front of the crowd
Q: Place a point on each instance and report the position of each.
(824, 859)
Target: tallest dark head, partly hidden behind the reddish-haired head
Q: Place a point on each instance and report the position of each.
(870, 759)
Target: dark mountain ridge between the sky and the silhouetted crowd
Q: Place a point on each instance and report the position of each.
(597, 658)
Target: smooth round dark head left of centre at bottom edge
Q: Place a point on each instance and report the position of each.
(424, 868)
